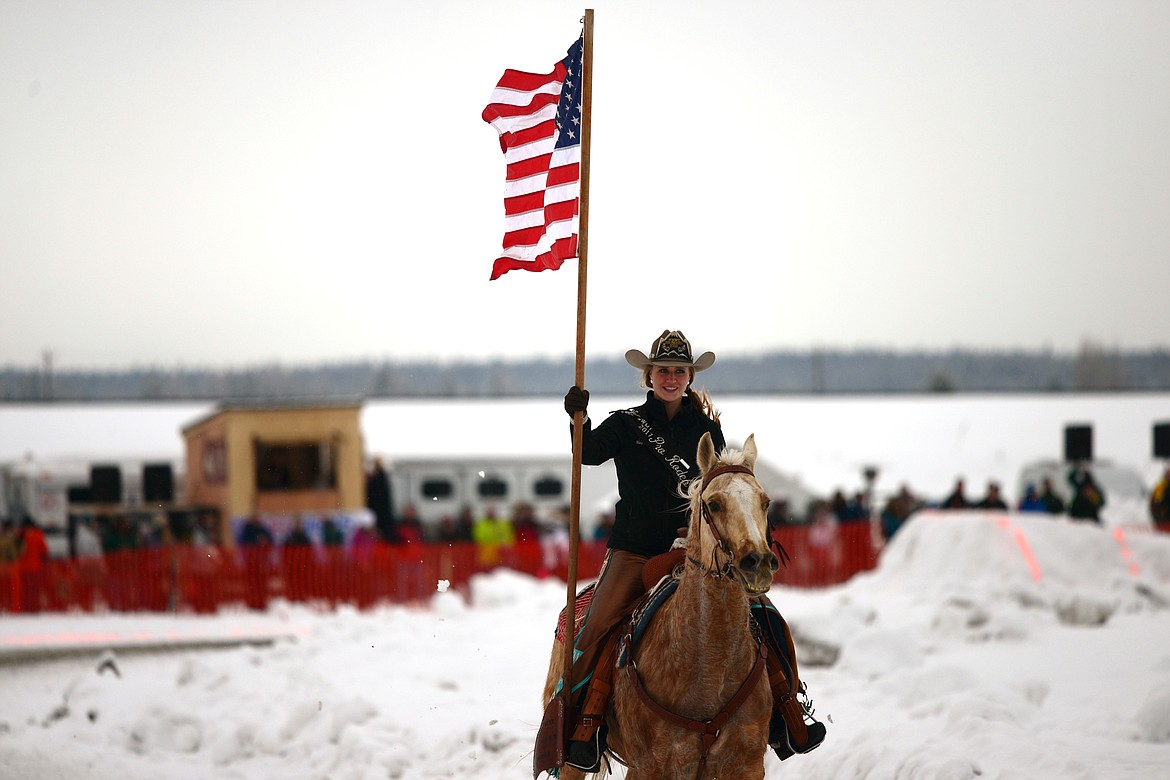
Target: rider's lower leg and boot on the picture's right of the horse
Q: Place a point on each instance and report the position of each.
(789, 733)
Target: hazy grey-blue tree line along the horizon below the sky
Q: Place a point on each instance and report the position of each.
(1091, 369)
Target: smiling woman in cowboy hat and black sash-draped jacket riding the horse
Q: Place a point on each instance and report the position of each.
(653, 447)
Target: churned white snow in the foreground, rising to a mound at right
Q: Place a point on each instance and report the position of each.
(985, 646)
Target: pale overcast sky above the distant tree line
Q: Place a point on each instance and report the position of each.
(208, 184)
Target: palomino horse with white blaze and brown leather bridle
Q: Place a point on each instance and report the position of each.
(705, 703)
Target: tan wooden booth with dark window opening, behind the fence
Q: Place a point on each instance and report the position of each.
(276, 460)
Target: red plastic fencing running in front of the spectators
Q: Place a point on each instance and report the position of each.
(204, 579)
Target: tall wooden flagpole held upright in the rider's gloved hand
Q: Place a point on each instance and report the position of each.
(575, 495)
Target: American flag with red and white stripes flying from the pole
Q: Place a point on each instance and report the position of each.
(539, 118)
